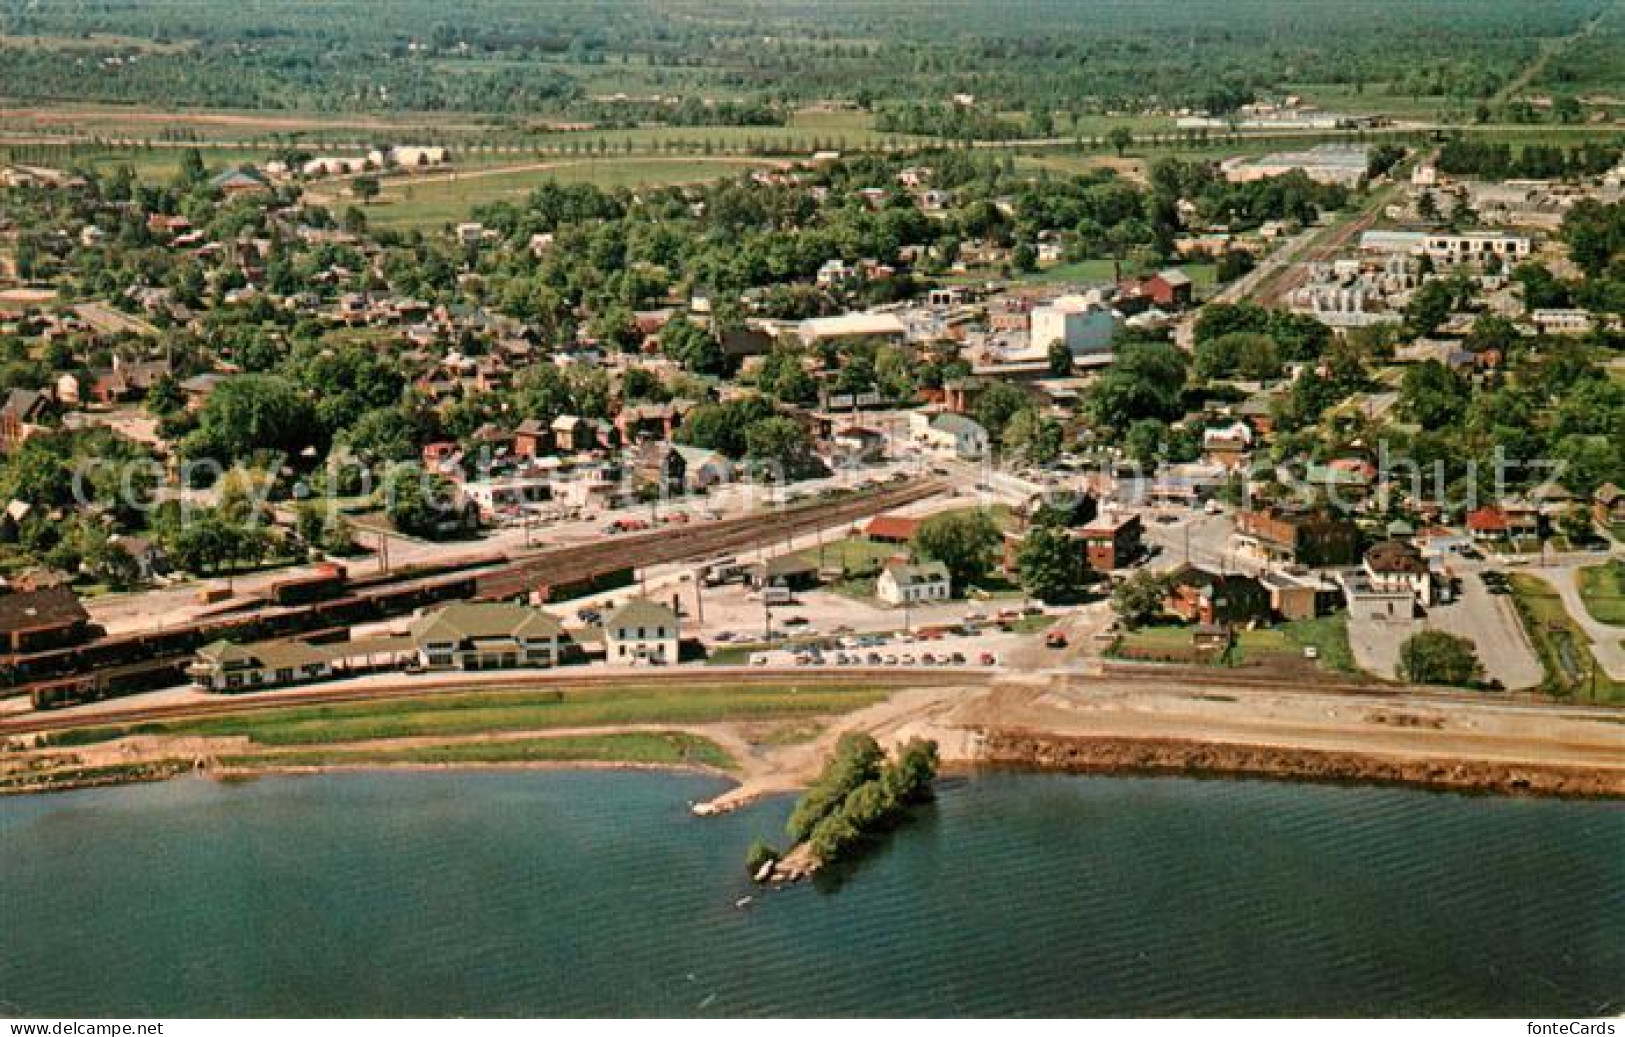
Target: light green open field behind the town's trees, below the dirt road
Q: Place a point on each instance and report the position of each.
(427, 204)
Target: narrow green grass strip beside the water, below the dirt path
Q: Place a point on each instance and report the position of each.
(631, 748)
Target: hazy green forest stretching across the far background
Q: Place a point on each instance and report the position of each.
(1018, 56)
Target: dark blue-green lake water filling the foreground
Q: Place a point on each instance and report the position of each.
(596, 893)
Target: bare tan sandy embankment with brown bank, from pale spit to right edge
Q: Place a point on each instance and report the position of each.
(1104, 727)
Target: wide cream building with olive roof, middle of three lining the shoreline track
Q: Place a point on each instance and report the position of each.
(487, 636)
